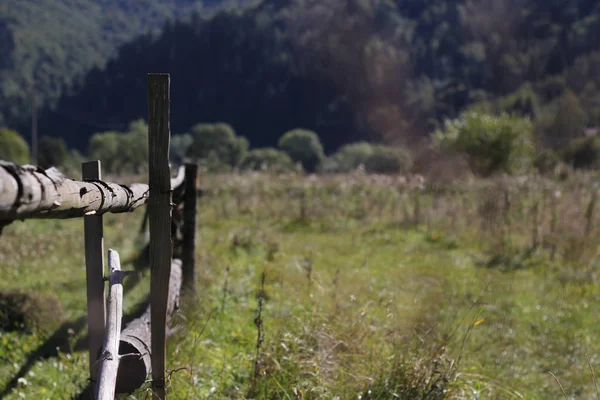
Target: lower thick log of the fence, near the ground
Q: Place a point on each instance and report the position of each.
(135, 345)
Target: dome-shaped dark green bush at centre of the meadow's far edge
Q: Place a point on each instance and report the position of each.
(303, 146)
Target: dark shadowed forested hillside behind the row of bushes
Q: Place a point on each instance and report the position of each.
(350, 69)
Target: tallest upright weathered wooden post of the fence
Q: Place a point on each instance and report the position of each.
(159, 212)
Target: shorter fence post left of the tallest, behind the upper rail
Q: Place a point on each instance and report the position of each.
(94, 263)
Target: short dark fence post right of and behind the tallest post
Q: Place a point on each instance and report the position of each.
(188, 248)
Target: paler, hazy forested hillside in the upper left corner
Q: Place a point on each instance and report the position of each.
(55, 42)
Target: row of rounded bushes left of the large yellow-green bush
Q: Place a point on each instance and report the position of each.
(214, 146)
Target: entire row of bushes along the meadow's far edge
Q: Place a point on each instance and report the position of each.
(486, 143)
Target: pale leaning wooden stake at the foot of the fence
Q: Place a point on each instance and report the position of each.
(109, 359)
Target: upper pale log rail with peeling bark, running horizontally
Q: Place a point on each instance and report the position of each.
(31, 192)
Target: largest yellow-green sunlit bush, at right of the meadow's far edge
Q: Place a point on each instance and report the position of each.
(493, 143)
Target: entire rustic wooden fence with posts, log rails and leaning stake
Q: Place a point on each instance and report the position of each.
(31, 192)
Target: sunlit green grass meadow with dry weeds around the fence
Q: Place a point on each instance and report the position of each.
(373, 289)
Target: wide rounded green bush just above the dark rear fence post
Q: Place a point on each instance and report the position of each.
(217, 146)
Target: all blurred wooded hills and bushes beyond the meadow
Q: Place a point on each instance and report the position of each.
(385, 72)
